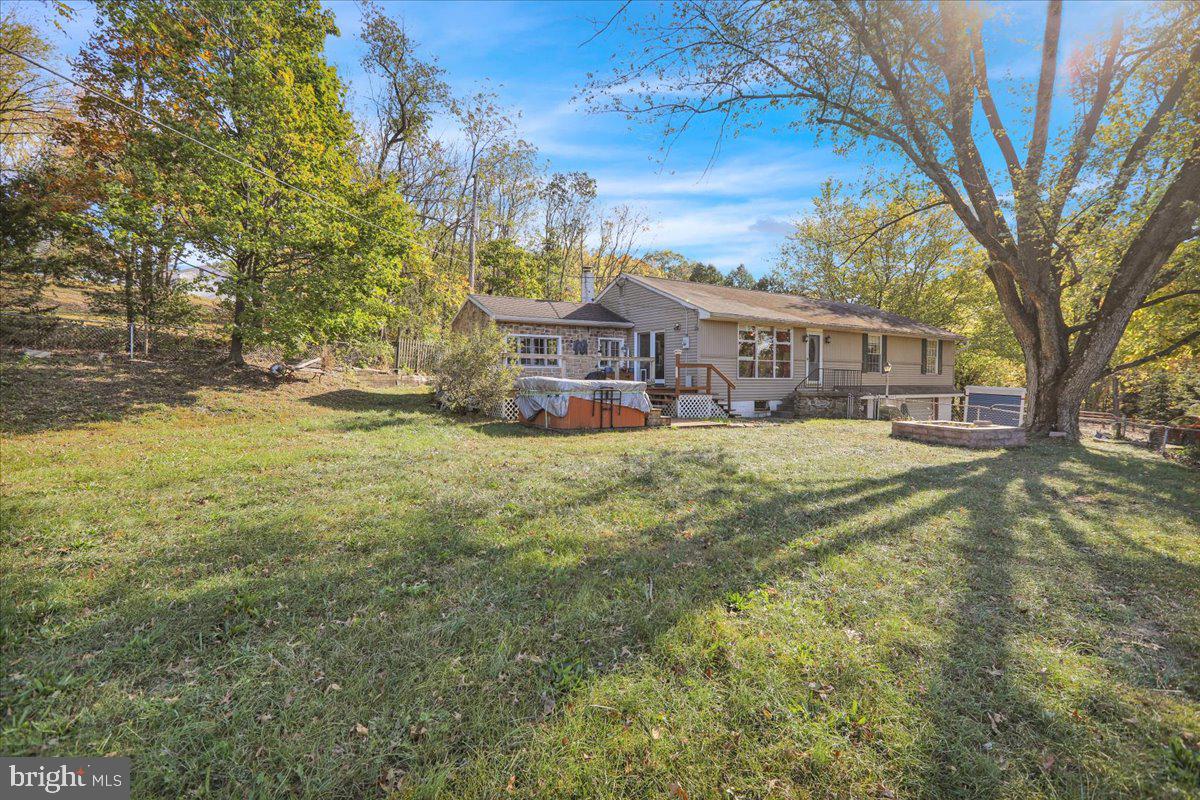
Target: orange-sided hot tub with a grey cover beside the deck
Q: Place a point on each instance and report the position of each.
(565, 405)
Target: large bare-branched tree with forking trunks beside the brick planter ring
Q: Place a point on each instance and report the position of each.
(1081, 222)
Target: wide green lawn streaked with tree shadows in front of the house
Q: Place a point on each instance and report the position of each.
(338, 593)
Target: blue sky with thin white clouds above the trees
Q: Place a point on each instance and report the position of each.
(735, 212)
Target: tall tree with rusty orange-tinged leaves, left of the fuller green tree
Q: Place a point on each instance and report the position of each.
(128, 176)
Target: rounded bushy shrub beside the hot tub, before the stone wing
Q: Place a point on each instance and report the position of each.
(470, 374)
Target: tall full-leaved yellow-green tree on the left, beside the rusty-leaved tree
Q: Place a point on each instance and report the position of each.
(279, 199)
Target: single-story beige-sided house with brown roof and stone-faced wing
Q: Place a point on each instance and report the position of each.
(754, 348)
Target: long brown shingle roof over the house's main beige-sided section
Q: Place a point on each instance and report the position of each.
(728, 303)
